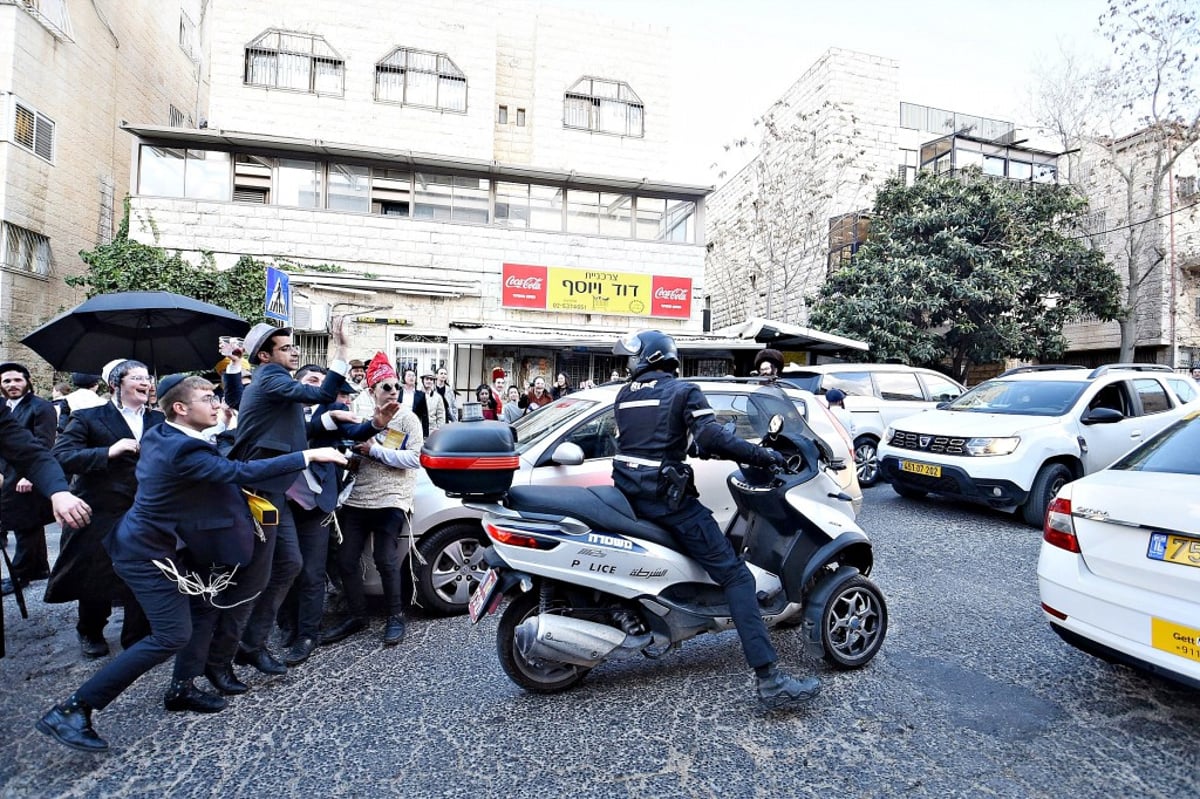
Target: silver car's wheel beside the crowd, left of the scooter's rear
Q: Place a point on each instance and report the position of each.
(453, 568)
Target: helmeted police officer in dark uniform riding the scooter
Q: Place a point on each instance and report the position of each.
(655, 416)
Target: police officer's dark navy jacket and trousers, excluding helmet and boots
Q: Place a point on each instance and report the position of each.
(655, 416)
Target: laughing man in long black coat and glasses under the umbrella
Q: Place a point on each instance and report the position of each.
(101, 447)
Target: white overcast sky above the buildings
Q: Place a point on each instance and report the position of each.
(734, 58)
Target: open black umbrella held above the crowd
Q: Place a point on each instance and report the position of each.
(166, 332)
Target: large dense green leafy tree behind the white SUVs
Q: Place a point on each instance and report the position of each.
(969, 271)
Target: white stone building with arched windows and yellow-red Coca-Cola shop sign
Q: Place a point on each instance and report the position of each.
(472, 183)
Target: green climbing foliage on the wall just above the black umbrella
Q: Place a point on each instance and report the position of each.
(128, 266)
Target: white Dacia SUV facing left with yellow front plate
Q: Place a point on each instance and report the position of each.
(1013, 442)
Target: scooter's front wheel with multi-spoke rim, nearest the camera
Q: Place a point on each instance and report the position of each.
(854, 623)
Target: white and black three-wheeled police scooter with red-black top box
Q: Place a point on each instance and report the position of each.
(587, 581)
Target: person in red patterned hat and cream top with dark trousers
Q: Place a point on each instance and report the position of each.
(380, 508)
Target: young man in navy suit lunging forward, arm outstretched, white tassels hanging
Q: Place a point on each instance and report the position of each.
(191, 518)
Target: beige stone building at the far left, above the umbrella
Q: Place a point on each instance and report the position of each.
(70, 74)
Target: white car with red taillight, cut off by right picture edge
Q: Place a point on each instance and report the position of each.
(1120, 566)
